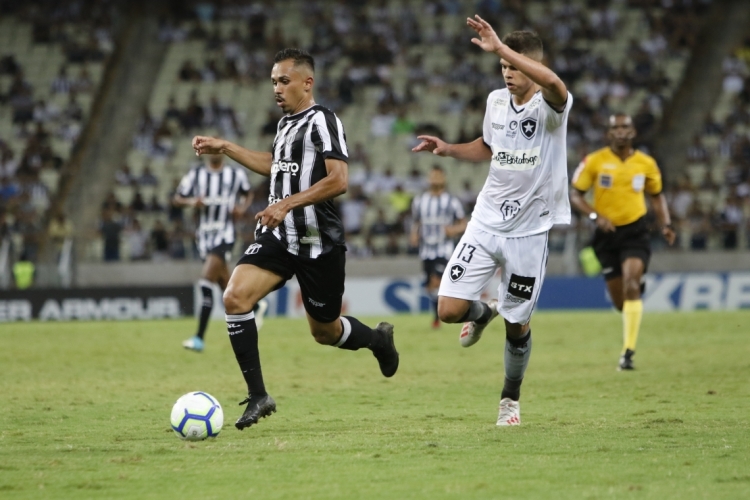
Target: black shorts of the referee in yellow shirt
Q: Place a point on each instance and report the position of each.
(630, 240)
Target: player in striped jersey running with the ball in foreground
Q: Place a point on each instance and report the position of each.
(300, 233)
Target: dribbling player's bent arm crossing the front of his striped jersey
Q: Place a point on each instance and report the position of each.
(332, 185)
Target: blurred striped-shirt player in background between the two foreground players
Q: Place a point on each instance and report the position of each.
(438, 219)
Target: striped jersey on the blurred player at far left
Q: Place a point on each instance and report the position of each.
(219, 190)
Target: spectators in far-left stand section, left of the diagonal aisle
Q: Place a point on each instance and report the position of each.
(45, 119)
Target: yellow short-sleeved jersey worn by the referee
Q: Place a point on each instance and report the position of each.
(618, 186)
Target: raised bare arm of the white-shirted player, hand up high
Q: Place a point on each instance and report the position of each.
(553, 88)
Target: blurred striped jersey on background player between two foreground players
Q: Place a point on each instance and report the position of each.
(434, 213)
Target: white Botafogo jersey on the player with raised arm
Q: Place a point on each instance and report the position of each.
(526, 190)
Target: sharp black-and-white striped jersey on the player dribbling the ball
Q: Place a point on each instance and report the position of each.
(303, 142)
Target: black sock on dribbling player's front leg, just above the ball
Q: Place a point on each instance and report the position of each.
(243, 336)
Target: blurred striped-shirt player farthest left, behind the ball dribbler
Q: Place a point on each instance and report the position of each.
(215, 190)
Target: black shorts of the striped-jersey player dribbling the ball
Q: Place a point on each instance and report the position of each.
(321, 280)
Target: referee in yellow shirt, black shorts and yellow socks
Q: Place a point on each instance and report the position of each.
(620, 176)
